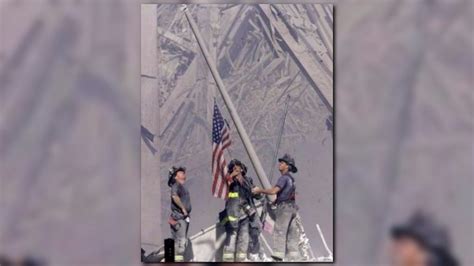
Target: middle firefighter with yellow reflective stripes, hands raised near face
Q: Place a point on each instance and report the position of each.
(238, 209)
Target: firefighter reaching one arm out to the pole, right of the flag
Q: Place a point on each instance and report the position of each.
(285, 234)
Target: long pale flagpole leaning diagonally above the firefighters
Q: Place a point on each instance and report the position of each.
(230, 106)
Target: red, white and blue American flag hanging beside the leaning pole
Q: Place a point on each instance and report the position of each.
(220, 142)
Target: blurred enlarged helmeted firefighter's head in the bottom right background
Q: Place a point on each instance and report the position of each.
(421, 242)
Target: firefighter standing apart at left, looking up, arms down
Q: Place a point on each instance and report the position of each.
(180, 210)
